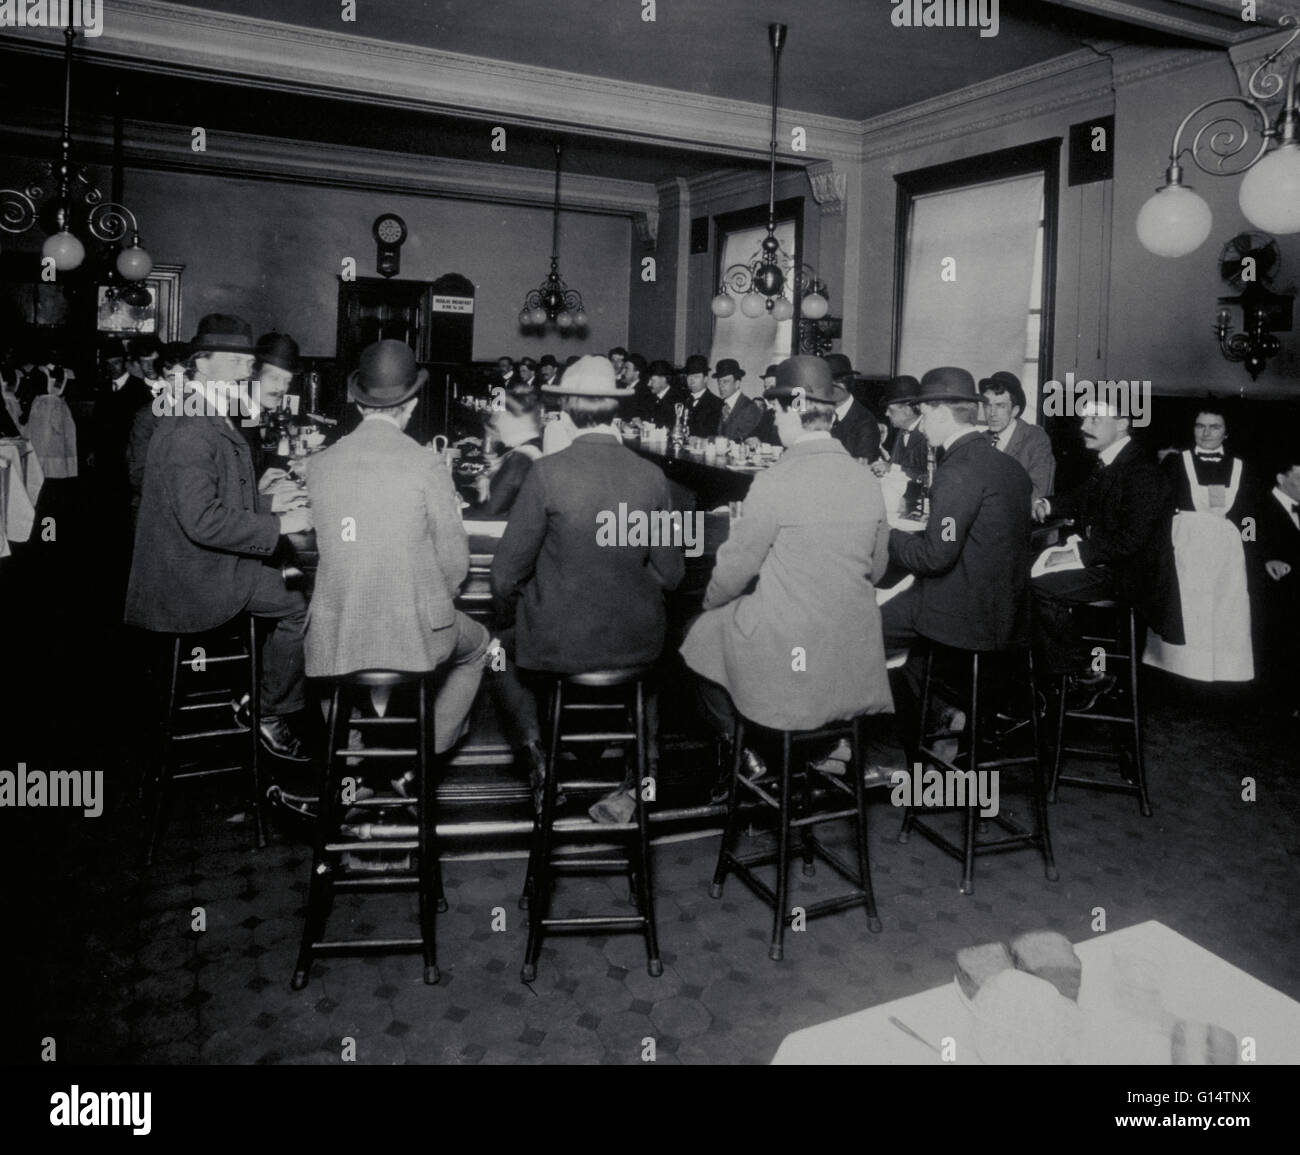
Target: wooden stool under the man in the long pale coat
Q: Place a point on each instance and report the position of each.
(807, 820)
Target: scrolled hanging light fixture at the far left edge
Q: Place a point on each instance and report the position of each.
(106, 220)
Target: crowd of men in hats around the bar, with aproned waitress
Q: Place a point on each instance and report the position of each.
(796, 577)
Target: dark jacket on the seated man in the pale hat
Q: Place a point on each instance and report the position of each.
(580, 605)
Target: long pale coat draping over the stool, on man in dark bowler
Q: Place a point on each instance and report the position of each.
(805, 648)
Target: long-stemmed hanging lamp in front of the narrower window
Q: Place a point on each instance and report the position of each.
(761, 283)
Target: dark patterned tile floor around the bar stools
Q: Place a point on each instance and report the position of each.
(110, 967)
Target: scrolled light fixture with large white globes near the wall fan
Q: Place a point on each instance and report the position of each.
(1177, 220)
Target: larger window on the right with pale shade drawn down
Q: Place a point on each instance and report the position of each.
(974, 267)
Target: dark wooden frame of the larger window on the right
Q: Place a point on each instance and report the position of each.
(1039, 158)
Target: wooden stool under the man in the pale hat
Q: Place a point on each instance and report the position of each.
(635, 862)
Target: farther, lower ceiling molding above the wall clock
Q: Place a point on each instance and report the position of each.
(167, 148)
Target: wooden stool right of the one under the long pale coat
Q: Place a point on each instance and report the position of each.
(977, 734)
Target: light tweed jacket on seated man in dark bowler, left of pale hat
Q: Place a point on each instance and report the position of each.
(393, 553)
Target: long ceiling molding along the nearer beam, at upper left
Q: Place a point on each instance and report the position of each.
(164, 40)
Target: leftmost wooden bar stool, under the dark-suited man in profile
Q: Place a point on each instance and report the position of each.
(192, 699)
